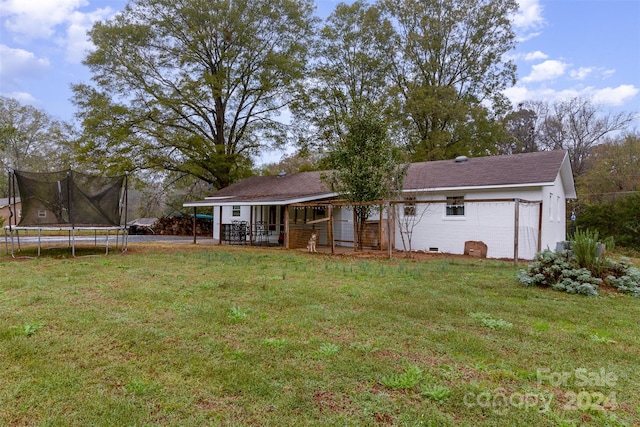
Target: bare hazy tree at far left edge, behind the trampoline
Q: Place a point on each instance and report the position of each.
(31, 140)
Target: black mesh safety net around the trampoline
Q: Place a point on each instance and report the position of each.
(69, 198)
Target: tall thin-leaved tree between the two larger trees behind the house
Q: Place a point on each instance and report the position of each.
(351, 67)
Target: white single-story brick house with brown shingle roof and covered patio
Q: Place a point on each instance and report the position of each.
(507, 206)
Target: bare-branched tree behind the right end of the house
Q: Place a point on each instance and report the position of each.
(578, 126)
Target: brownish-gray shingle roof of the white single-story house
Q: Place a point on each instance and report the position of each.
(517, 169)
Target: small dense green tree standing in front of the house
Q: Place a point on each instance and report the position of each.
(368, 167)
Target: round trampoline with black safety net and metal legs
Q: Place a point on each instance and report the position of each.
(67, 201)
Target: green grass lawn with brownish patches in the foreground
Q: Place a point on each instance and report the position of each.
(195, 336)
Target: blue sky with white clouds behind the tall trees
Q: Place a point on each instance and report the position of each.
(567, 48)
